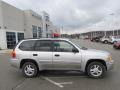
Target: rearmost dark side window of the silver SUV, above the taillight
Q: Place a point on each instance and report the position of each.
(27, 45)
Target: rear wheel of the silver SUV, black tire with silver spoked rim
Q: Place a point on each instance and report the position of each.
(29, 70)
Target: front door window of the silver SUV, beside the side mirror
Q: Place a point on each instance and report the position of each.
(62, 46)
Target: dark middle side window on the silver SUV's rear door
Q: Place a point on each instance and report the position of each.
(43, 45)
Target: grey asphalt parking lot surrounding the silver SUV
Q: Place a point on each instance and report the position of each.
(11, 79)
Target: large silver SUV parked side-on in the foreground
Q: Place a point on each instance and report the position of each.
(34, 55)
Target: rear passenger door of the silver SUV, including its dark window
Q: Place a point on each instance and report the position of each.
(43, 53)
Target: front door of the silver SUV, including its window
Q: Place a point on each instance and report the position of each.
(63, 56)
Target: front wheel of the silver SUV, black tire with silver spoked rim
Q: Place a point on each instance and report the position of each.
(95, 73)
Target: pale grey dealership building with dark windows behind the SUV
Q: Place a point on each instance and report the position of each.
(17, 24)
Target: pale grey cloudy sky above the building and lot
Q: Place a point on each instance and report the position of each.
(76, 16)
